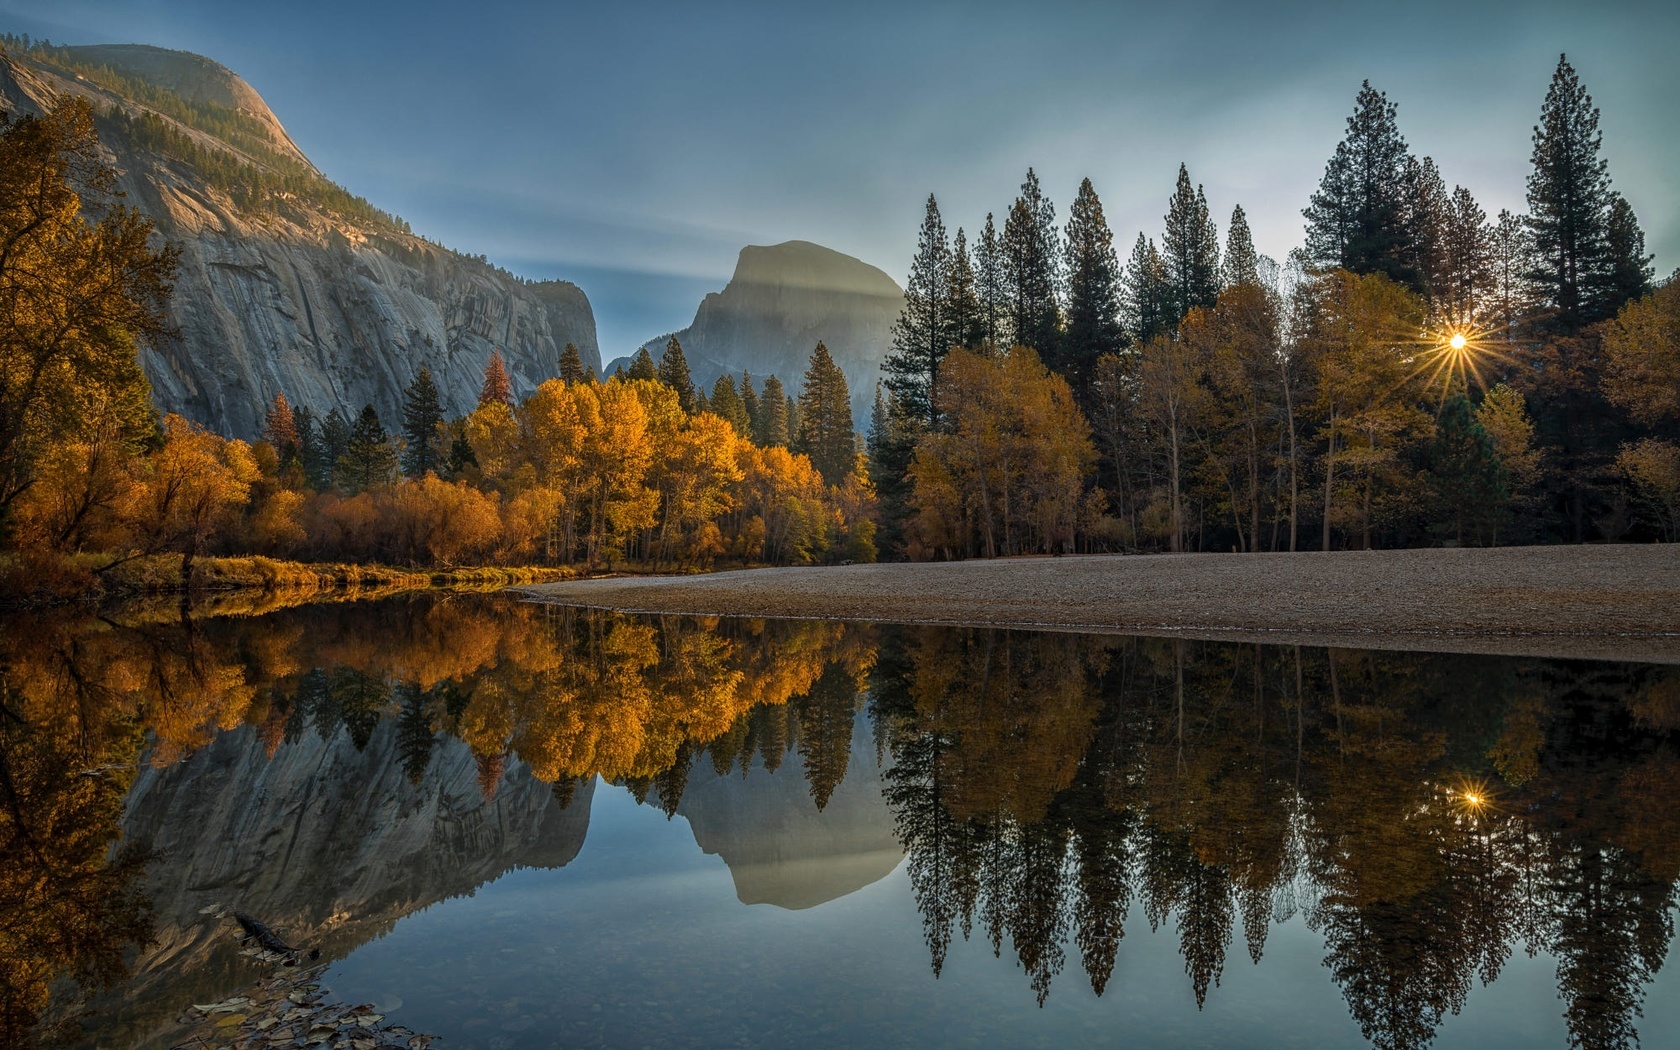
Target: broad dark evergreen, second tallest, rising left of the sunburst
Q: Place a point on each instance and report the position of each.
(1358, 218)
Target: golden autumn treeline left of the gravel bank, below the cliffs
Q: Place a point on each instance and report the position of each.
(641, 468)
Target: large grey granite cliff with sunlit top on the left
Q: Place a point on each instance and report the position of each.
(297, 295)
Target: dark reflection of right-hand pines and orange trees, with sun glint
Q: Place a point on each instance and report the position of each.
(1044, 785)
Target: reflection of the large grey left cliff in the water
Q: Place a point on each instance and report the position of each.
(328, 844)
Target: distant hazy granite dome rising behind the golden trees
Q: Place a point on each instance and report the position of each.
(779, 305)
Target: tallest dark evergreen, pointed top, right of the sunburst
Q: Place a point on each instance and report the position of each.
(1570, 206)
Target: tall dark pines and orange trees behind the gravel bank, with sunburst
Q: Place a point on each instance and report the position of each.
(1417, 374)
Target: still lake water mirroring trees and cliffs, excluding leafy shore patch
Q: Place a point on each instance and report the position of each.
(527, 827)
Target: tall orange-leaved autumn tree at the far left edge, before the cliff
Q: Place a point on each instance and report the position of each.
(81, 290)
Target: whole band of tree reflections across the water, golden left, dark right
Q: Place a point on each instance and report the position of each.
(1047, 789)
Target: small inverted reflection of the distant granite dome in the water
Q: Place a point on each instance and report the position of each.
(784, 851)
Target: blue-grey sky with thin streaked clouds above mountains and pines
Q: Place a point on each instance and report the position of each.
(634, 149)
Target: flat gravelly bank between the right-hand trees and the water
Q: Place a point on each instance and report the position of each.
(1617, 602)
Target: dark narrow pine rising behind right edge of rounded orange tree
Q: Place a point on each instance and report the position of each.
(1093, 291)
